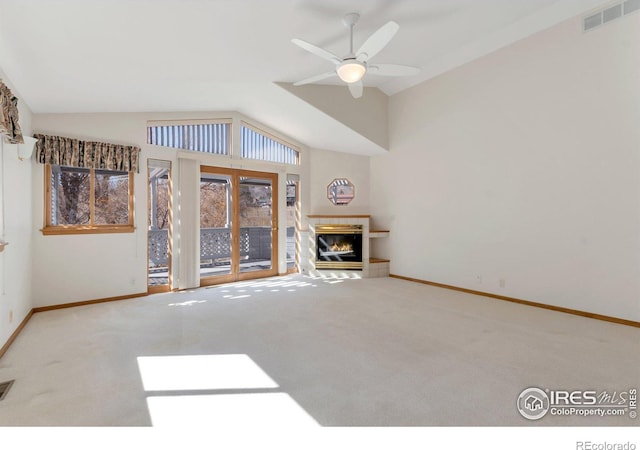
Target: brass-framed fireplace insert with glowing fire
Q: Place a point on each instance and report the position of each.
(338, 247)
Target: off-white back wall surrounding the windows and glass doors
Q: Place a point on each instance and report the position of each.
(71, 268)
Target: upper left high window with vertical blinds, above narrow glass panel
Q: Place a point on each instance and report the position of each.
(207, 136)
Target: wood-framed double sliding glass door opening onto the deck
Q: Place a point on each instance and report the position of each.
(238, 225)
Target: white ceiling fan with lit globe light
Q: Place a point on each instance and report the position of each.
(355, 65)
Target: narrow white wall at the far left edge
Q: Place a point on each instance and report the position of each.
(15, 260)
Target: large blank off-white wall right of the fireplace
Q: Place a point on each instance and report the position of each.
(523, 166)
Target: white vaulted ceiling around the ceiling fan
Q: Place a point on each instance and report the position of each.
(203, 55)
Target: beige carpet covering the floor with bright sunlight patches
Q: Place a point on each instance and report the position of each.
(308, 352)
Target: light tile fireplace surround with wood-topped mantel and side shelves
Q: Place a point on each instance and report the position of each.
(371, 268)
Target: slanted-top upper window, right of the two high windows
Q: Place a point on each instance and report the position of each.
(256, 144)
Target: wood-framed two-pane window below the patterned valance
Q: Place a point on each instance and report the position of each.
(81, 200)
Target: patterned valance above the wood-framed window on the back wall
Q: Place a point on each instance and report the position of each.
(65, 151)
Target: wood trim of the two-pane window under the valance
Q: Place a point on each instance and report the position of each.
(49, 229)
